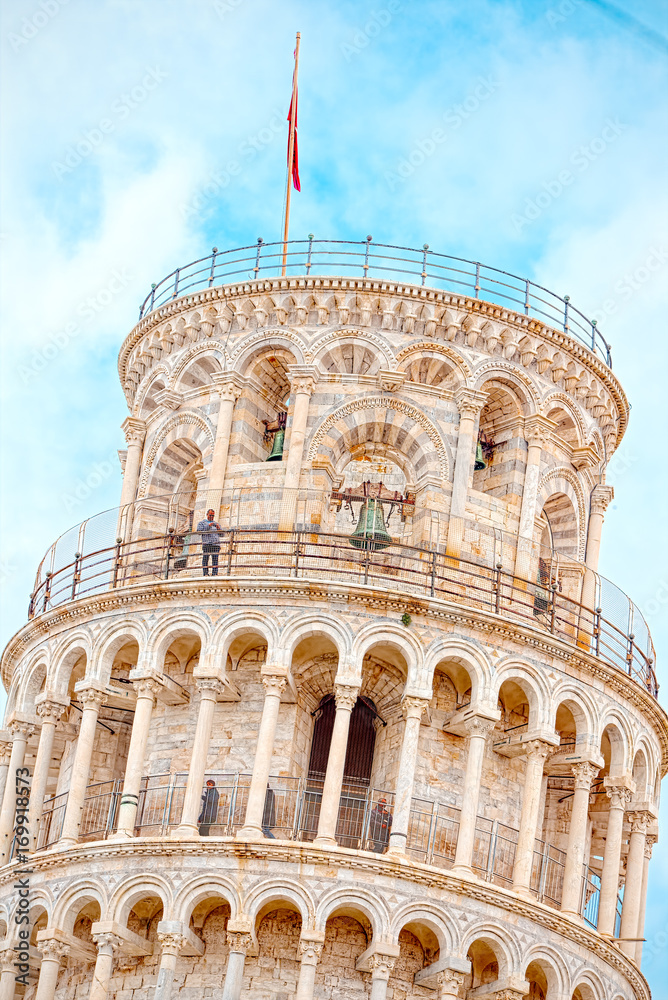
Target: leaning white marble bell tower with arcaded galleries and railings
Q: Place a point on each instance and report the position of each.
(335, 704)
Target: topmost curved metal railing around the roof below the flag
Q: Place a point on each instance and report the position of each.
(369, 260)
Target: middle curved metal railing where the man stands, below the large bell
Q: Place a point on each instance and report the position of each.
(423, 572)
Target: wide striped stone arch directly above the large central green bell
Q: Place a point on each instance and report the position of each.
(405, 435)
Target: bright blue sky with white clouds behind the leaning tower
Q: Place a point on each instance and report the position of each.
(182, 103)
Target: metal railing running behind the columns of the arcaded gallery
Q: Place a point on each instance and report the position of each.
(292, 810)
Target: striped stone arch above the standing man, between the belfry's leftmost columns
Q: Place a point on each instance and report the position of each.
(197, 434)
